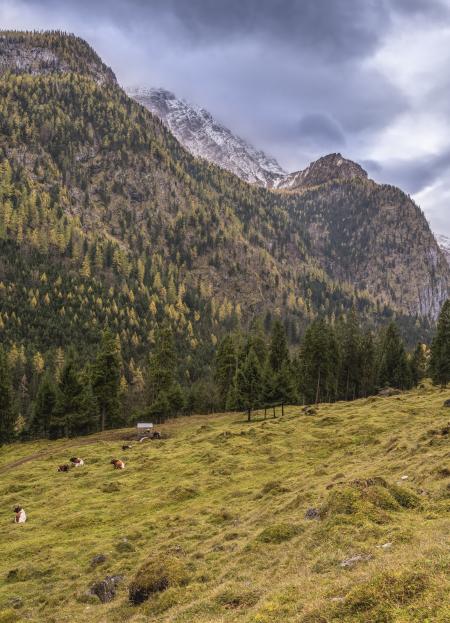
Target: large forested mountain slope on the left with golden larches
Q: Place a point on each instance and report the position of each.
(106, 219)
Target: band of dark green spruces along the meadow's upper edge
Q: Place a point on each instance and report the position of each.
(335, 361)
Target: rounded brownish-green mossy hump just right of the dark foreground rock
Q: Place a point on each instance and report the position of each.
(155, 576)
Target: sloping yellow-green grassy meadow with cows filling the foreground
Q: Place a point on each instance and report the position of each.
(211, 521)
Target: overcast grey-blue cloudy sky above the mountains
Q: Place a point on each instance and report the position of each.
(298, 78)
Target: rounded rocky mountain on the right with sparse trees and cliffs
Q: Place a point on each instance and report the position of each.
(371, 234)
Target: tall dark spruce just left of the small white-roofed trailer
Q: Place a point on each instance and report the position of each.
(106, 381)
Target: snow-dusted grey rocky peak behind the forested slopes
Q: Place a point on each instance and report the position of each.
(205, 137)
